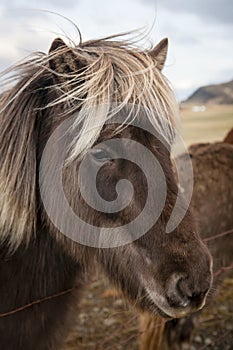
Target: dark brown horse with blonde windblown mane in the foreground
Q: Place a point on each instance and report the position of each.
(63, 109)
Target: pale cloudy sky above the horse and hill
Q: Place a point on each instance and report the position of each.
(200, 32)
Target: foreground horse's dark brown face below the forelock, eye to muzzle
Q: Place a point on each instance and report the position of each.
(167, 273)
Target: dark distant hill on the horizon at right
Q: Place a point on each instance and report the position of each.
(213, 94)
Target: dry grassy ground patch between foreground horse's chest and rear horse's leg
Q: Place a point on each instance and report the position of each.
(104, 321)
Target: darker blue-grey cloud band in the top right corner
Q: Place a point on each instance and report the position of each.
(221, 11)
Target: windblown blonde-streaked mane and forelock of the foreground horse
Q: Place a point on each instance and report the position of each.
(95, 79)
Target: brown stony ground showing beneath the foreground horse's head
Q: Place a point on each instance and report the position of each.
(105, 322)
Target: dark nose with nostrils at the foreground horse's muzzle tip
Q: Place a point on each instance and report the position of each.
(182, 292)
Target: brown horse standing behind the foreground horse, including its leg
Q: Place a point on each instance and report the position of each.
(213, 172)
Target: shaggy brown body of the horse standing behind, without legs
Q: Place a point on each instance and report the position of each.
(212, 198)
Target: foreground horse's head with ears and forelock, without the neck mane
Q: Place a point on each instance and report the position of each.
(126, 193)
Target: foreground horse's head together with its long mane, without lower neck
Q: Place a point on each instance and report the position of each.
(156, 270)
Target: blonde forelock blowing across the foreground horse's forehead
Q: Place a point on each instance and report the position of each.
(116, 75)
